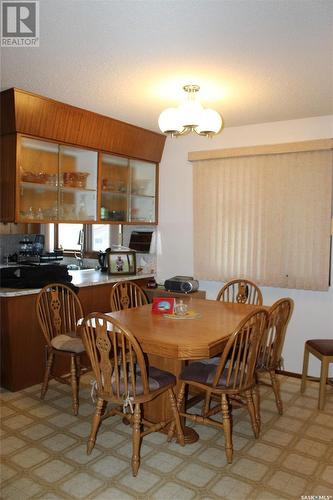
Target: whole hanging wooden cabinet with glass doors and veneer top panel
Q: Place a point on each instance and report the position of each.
(64, 164)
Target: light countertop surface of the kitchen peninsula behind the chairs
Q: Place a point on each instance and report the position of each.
(83, 278)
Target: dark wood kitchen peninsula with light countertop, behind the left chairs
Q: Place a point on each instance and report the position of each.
(22, 343)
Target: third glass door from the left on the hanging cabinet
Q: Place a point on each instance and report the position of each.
(115, 173)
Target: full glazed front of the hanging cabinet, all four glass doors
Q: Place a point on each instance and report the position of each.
(58, 183)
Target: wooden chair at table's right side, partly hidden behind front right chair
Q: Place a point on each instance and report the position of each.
(269, 357)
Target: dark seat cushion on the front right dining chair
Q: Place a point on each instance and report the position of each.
(203, 371)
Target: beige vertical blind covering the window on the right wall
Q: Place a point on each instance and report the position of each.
(264, 217)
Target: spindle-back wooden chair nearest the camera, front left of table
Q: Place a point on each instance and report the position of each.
(123, 379)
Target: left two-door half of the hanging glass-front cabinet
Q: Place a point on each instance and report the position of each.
(55, 182)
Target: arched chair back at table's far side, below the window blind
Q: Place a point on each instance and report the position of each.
(242, 291)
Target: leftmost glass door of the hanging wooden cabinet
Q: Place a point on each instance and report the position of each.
(38, 180)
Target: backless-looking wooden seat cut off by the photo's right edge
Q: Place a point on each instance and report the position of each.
(323, 350)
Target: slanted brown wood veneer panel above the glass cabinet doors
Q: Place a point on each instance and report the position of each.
(43, 117)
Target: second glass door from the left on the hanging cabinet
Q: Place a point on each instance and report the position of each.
(78, 184)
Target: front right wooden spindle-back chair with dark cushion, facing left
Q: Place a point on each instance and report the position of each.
(229, 377)
